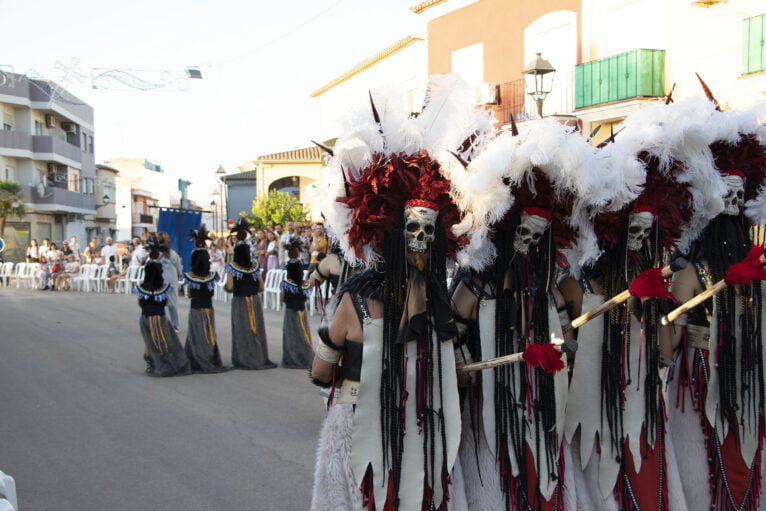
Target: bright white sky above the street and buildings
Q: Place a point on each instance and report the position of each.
(260, 60)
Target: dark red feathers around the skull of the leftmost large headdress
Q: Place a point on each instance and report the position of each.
(378, 197)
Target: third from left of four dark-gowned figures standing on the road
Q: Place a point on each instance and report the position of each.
(249, 349)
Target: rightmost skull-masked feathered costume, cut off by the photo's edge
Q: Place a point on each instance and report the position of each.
(716, 390)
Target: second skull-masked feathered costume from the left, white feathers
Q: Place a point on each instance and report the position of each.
(512, 451)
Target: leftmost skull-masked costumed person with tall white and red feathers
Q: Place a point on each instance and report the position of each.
(391, 434)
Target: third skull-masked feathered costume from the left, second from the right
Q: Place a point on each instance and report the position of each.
(616, 409)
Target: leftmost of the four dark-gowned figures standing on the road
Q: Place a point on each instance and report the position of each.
(164, 354)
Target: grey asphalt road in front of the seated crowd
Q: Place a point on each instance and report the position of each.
(83, 428)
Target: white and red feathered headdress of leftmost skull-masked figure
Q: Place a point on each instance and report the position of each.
(387, 158)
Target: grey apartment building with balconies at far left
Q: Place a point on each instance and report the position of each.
(46, 145)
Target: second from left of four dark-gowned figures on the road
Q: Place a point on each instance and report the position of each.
(201, 340)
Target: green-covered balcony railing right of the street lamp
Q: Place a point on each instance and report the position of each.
(634, 74)
